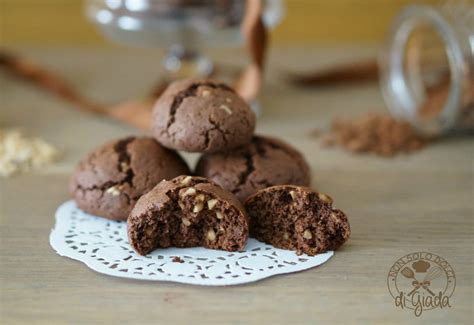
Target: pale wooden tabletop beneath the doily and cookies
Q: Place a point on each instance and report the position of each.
(420, 202)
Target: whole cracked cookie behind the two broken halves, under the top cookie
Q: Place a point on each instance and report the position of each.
(262, 163)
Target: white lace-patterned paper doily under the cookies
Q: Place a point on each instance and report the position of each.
(102, 245)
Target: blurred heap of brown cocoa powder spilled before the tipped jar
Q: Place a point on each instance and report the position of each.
(374, 133)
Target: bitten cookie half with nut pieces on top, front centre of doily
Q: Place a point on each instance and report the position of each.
(186, 212)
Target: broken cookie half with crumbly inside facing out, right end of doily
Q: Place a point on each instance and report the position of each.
(296, 218)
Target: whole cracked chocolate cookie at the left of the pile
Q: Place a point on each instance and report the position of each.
(109, 181)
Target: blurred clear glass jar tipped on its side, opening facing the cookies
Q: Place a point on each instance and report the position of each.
(427, 67)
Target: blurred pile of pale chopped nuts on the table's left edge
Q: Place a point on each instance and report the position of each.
(19, 153)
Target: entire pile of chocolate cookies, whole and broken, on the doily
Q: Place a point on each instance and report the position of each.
(243, 183)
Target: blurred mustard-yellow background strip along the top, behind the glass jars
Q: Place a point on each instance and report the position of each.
(62, 22)
